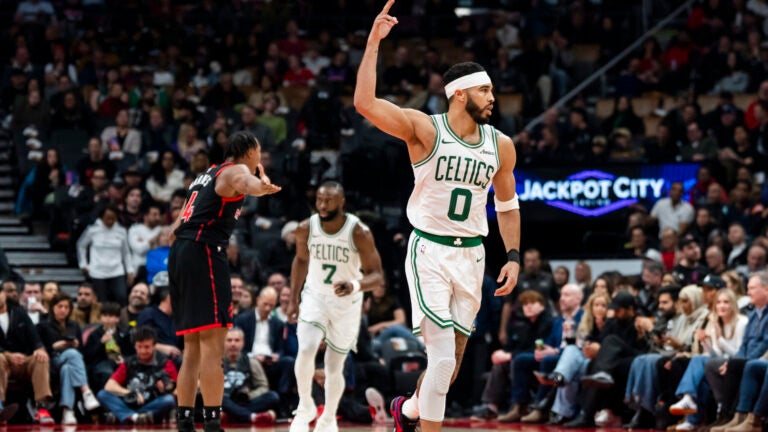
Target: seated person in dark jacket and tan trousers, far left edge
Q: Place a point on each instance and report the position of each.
(23, 357)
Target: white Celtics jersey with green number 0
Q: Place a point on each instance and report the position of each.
(451, 185)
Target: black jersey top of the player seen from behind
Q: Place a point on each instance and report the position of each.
(207, 217)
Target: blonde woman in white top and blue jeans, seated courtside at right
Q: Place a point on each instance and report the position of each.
(720, 337)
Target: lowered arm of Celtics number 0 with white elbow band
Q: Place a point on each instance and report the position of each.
(508, 213)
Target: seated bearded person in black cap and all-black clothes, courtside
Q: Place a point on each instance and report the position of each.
(620, 342)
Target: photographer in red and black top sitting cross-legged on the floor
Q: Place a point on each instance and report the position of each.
(141, 389)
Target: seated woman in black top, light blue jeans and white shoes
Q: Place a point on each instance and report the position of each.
(62, 338)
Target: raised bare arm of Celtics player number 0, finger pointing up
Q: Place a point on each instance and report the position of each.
(383, 114)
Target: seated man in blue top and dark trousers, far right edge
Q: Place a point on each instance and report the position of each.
(724, 374)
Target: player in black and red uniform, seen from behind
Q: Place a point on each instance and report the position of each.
(201, 294)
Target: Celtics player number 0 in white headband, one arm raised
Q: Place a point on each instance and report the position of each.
(456, 157)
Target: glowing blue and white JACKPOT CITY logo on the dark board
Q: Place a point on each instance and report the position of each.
(592, 193)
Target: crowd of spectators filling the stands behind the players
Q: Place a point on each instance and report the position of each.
(115, 107)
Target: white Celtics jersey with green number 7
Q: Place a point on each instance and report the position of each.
(332, 257)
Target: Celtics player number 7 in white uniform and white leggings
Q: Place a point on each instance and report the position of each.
(336, 261)
